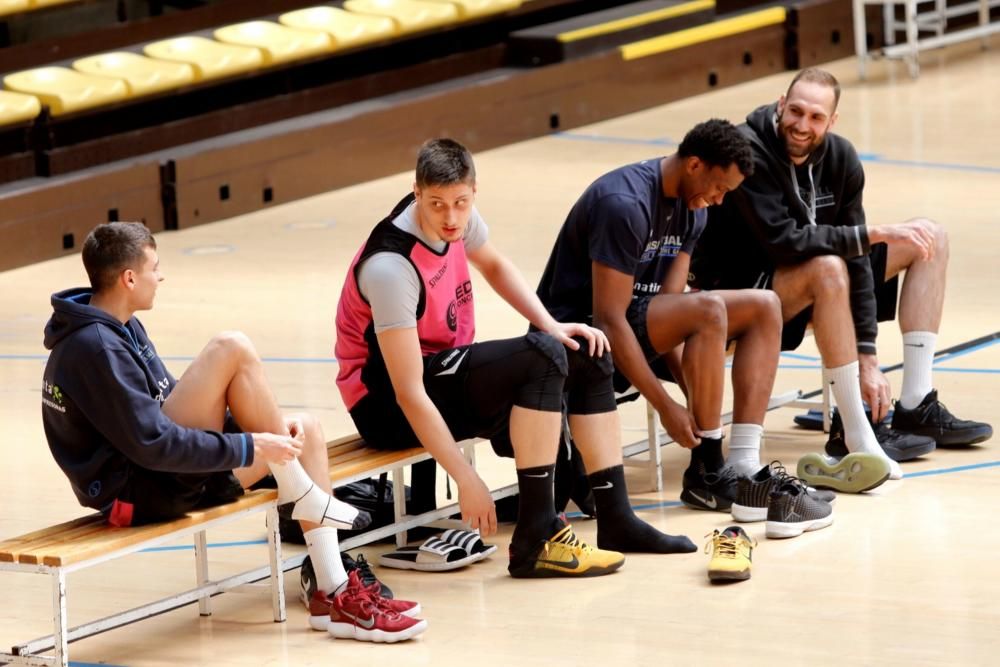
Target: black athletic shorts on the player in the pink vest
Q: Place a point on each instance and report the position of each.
(474, 388)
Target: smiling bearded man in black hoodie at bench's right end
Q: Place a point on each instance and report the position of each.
(797, 227)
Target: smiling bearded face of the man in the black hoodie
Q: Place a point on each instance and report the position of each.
(805, 115)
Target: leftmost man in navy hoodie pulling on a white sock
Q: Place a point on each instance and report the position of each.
(141, 446)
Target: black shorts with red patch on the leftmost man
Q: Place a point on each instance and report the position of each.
(150, 496)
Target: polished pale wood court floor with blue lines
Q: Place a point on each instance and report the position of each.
(907, 575)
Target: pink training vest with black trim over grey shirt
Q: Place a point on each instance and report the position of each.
(445, 314)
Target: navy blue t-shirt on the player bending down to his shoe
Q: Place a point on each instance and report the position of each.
(623, 221)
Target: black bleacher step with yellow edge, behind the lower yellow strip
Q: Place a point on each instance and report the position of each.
(600, 31)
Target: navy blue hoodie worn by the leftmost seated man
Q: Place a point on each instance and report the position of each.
(101, 396)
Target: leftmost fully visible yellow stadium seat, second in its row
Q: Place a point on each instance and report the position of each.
(66, 91)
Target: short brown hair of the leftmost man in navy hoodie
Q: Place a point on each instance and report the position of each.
(113, 247)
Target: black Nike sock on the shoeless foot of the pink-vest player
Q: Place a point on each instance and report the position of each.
(618, 528)
